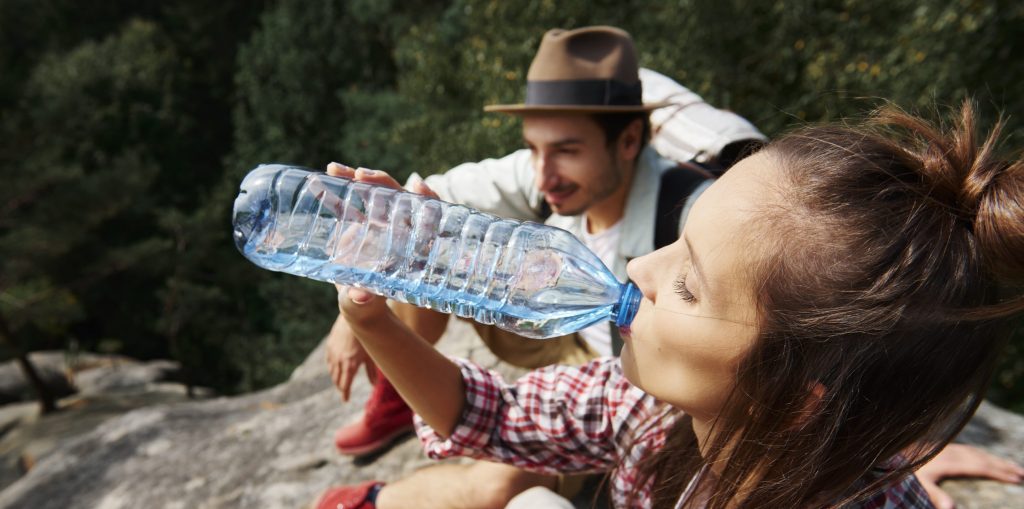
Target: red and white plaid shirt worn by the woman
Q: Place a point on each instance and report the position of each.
(566, 419)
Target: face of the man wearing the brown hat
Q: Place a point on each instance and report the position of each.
(575, 167)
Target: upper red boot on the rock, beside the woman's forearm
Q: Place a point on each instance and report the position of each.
(386, 418)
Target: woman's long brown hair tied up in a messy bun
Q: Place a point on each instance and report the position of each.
(891, 289)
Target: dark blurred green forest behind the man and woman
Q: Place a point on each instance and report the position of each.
(126, 128)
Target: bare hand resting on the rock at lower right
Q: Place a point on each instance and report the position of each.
(964, 461)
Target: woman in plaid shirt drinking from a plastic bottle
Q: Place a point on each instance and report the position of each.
(836, 307)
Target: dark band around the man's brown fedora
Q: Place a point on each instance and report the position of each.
(584, 93)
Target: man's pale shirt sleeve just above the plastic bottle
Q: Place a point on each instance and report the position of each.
(500, 187)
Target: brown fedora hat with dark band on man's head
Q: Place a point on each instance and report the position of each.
(588, 70)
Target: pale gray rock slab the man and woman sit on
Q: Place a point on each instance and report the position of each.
(273, 450)
